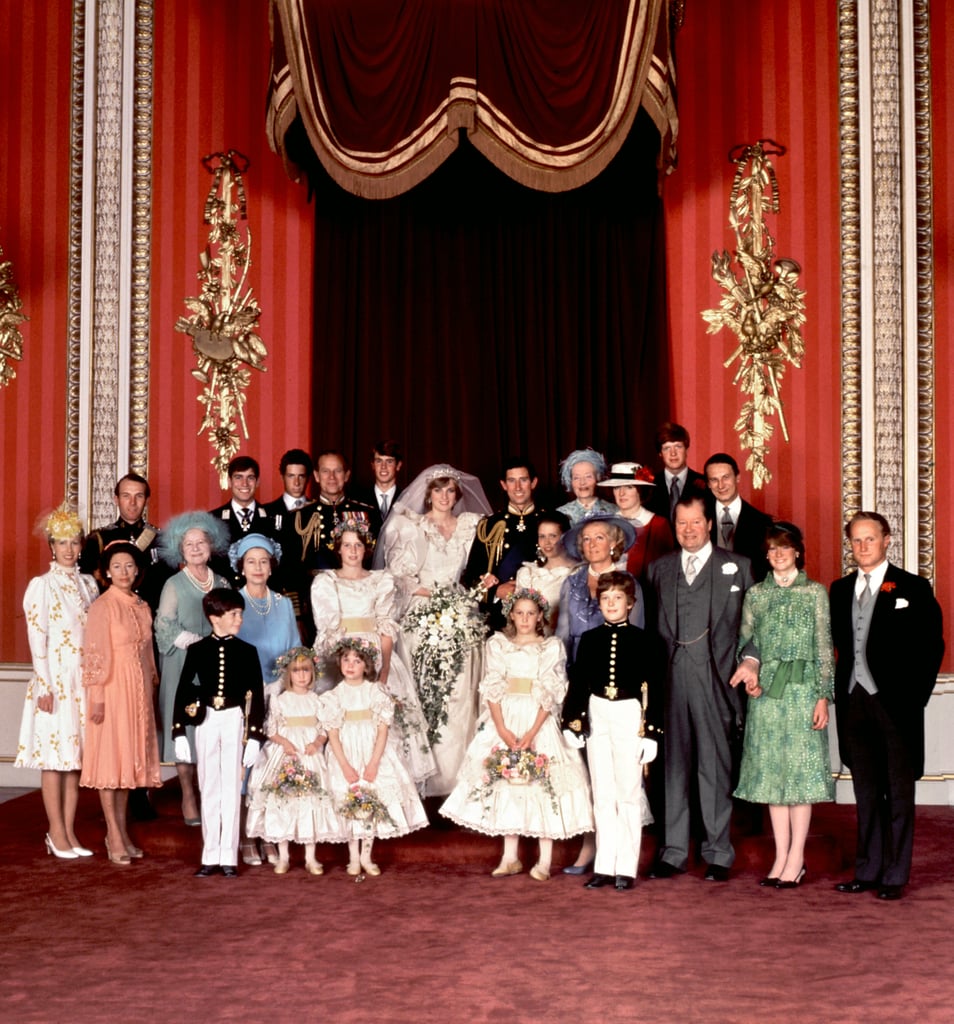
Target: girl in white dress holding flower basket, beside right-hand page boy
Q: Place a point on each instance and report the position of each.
(519, 777)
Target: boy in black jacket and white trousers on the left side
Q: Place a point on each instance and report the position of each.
(222, 693)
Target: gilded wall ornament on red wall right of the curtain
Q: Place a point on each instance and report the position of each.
(762, 304)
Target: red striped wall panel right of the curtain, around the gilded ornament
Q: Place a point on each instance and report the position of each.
(743, 78)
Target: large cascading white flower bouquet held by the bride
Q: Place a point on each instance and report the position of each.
(448, 625)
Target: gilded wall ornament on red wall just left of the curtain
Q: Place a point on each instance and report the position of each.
(226, 315)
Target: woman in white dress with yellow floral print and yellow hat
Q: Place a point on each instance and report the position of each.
(55, 711)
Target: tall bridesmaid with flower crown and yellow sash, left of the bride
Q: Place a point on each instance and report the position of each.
(355, 602)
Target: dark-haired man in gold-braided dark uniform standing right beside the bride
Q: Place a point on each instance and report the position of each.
(505, 540)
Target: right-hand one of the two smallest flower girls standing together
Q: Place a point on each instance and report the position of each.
(372, 789)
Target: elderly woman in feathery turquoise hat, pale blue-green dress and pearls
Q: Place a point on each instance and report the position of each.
(188, 543)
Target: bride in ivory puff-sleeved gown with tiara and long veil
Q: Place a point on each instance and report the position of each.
(426, 543)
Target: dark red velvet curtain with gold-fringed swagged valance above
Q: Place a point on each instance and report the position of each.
(461, 313)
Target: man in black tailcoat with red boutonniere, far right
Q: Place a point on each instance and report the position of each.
(887, 630)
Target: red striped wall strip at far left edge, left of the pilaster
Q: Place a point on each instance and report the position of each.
(34, 221)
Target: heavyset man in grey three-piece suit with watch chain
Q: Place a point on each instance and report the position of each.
(700, 591)
